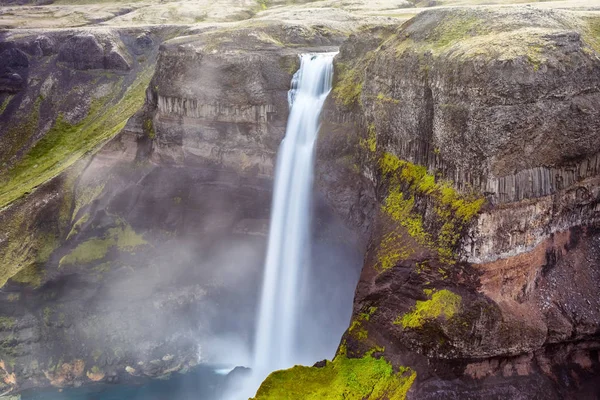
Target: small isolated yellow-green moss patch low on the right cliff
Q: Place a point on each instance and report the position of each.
(441, 303)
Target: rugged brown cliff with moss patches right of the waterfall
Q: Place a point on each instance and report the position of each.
(463, 145)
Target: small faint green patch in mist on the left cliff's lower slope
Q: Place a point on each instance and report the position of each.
(122, 236)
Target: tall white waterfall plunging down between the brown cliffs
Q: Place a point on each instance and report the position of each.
(289, 245)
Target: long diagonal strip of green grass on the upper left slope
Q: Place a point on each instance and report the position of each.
(64, 144)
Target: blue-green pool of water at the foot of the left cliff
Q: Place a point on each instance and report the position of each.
(201, 384)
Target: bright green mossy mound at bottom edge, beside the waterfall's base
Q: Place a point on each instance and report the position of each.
(342, 378)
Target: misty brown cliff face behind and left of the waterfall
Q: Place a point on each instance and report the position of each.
(109, 269)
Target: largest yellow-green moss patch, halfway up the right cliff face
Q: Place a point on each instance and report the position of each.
(454, 210)
